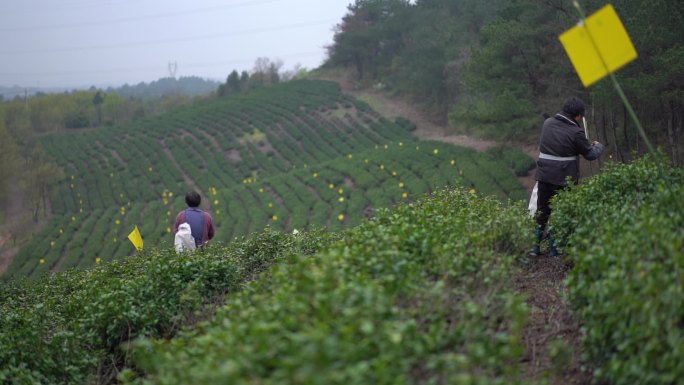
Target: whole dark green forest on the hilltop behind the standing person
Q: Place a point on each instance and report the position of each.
(495, 68)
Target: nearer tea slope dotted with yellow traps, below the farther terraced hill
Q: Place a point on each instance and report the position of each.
(374, 178)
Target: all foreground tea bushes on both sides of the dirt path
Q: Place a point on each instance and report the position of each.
(421, 294)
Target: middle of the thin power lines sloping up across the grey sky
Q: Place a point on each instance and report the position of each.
(163, 41)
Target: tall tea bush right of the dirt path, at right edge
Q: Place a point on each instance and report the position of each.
(624, 232)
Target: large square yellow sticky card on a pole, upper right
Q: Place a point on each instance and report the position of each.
(601, 36)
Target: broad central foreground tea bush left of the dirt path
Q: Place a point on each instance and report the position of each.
(417, 295)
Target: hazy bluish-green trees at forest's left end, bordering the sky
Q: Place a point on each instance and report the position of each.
(413, 49)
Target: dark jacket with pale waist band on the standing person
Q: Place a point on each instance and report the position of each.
(562, 141)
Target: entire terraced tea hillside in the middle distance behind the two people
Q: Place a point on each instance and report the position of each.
(290, 156)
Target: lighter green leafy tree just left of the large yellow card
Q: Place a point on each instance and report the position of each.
(510, 77)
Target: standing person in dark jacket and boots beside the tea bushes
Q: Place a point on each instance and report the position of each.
(562, 141)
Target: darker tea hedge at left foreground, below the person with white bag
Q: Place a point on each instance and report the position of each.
(74, 327)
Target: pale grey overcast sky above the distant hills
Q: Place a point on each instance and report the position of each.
(72, 43)
